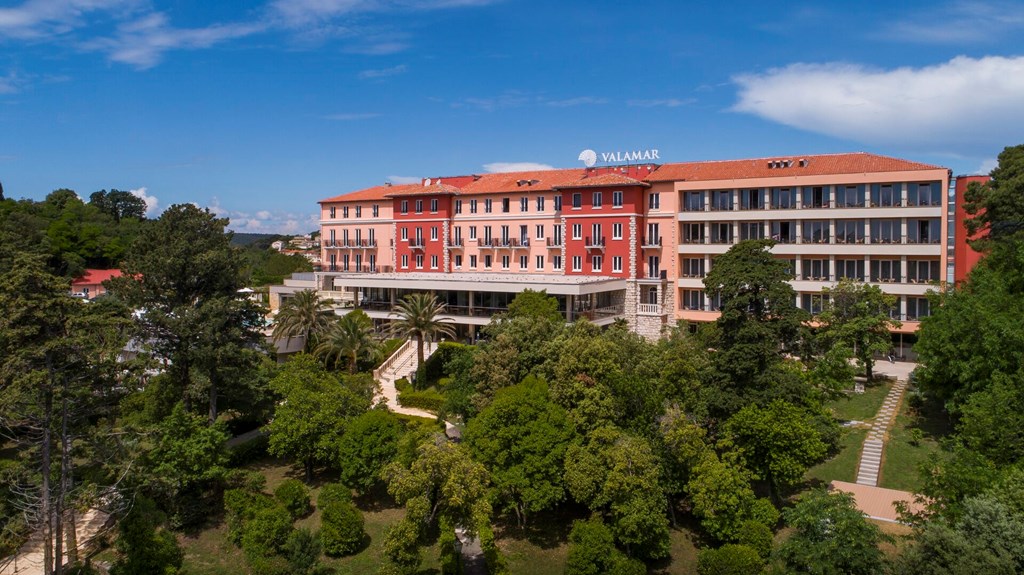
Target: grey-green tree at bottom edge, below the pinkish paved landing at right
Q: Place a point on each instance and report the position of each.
(832, 537)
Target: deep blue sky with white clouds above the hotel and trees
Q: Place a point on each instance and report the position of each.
(258, 110)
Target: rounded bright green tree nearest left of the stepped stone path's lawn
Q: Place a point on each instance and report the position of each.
(781, 441)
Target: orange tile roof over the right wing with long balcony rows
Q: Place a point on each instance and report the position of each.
(858, 163)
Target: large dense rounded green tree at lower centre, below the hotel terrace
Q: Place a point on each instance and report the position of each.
(522, 438)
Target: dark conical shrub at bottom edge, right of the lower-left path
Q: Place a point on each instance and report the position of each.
(144, 546)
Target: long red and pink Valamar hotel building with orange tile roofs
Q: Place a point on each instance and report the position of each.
(635, 242)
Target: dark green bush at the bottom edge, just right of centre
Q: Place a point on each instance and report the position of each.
(592, 552)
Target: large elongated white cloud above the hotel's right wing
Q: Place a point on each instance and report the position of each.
(958, 107)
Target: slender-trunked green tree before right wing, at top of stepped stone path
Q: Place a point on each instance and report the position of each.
(857, 316)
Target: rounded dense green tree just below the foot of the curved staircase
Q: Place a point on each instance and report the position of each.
(371, 441)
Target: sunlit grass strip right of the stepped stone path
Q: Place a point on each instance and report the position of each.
(902, 460)
